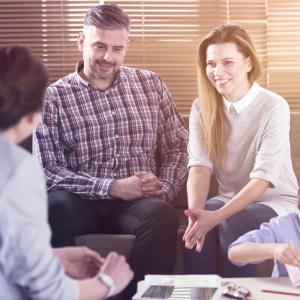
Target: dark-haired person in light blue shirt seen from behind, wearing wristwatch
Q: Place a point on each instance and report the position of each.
(29, 267)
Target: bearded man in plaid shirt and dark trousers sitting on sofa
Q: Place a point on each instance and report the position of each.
(102, 128)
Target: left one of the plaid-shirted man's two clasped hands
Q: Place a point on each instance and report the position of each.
(128, 189)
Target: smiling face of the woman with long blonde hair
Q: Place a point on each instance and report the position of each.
(227, 70)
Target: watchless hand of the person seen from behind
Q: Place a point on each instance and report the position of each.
(79, 262)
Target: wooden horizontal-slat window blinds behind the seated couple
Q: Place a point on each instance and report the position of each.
(164, 37)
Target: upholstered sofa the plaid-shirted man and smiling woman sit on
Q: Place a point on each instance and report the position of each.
(103, 243)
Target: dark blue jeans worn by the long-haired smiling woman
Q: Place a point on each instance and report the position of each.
(213, 257)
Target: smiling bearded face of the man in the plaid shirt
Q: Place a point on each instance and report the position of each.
(103, 52)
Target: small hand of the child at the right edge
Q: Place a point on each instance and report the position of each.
(287, 254)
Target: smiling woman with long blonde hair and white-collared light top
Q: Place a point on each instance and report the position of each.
(240, 132)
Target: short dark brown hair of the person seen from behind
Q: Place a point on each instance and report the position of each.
(23, 80)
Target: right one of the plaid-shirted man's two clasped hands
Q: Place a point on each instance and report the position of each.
(151, 185)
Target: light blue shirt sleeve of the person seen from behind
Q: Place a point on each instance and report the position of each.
(26, 257)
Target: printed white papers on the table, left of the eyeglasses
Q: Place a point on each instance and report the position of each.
(179, 287)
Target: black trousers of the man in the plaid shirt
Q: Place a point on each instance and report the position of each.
(152, 220)
